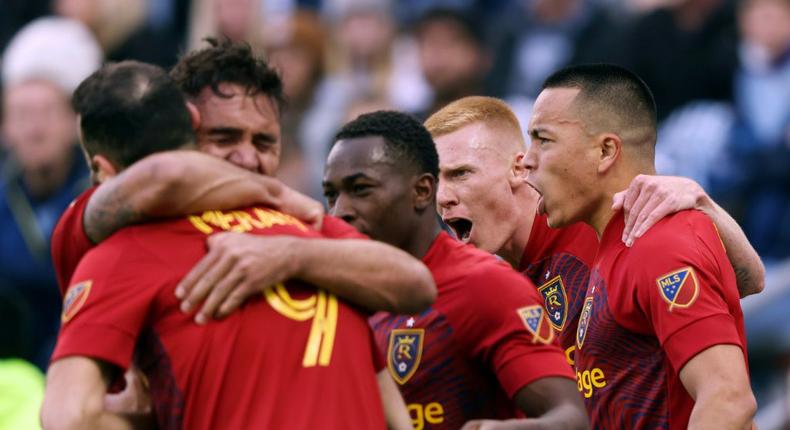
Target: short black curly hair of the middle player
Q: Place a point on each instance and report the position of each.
(405, 137)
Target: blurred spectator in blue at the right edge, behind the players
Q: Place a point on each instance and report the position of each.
(756, 179)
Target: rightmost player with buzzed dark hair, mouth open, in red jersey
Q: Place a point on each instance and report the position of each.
(660, 341)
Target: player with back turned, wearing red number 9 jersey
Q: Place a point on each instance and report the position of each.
(294, 374)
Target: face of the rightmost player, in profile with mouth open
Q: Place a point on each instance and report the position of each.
(561, 159)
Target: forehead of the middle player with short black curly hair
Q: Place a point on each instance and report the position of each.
(366, 155)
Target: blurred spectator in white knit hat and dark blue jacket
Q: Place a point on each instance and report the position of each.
(44, 169)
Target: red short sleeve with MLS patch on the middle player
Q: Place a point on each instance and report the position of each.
(508, 329)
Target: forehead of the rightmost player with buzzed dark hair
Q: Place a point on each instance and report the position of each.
(553, 108)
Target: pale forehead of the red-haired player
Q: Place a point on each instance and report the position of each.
(471, 144)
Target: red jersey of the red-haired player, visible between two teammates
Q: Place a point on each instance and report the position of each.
(558, 261)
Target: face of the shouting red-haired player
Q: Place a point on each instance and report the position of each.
(474, 196)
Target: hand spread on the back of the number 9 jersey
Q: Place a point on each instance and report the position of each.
(236, 267)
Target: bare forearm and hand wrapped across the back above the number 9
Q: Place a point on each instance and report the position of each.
(370, 274)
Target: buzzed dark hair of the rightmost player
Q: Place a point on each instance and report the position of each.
(618, 90)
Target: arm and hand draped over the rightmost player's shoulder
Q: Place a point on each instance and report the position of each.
(651, 198)
